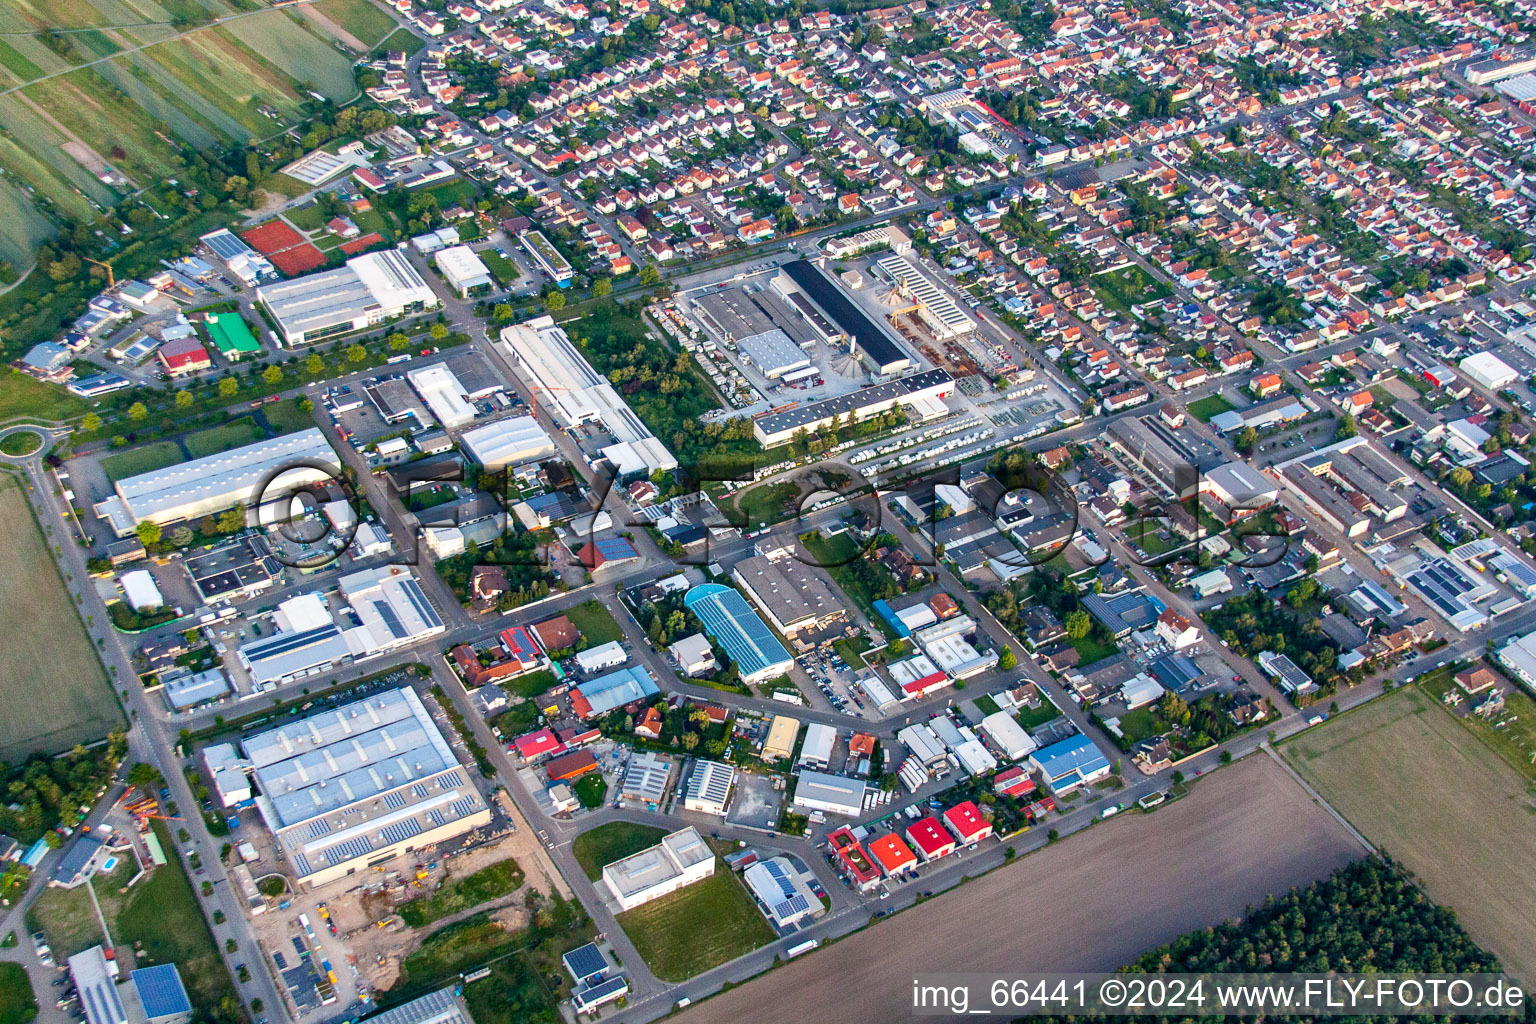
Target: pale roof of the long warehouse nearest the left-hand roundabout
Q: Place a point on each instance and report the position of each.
(230, 477)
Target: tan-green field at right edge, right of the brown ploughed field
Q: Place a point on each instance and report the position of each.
(1420, 785)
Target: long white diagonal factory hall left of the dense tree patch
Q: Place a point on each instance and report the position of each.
(564, 383)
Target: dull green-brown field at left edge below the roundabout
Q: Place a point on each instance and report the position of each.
(48, 666)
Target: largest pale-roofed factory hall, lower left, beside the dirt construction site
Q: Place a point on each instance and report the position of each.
(357, 787)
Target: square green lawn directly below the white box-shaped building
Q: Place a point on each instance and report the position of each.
(698, 928)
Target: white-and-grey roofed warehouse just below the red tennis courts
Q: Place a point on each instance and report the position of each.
(363, 294)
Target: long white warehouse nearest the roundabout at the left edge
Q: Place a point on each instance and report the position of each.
(191, 491)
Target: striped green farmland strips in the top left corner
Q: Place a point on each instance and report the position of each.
(220, 85)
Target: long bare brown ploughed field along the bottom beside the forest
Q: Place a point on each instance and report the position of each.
(1093, 902)
